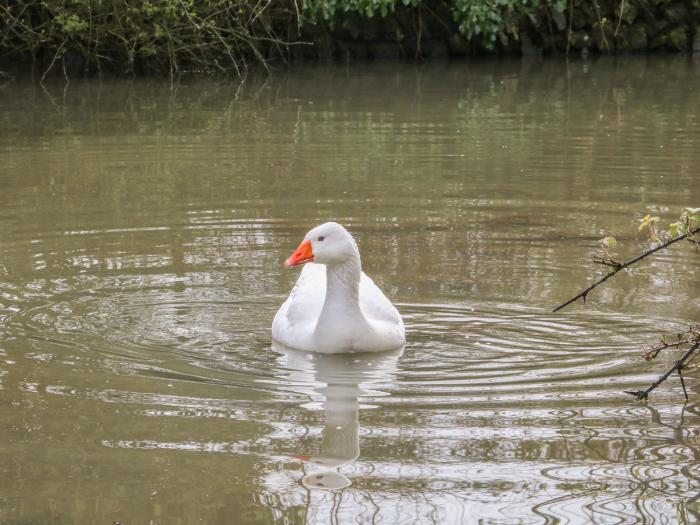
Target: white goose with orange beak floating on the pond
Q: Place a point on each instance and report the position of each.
(334, 307)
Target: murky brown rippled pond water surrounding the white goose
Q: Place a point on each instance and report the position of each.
(142, 231)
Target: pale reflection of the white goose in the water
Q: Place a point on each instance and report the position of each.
(342, 377)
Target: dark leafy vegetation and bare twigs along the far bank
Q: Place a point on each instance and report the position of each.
(171, 36)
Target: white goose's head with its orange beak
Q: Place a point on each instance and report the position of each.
(328, 244)
